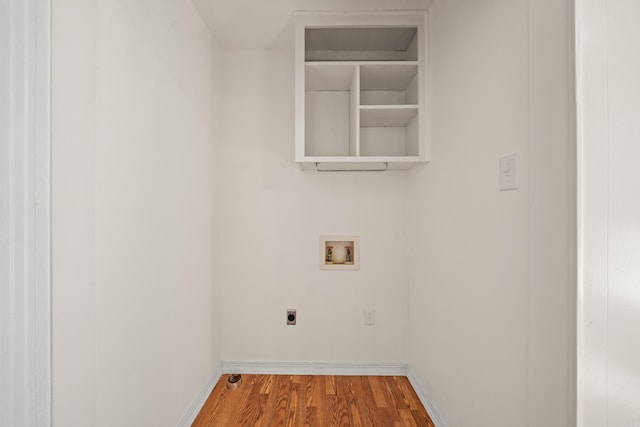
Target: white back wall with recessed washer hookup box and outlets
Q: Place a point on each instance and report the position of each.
(272, 215)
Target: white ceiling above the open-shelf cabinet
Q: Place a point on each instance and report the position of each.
(266, 24)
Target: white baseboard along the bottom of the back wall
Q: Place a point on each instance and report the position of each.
(314, 368)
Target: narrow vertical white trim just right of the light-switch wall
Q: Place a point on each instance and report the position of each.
(592, 211)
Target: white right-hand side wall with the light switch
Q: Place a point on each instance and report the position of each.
(490, 272)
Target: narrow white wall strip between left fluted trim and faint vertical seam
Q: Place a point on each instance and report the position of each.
(73, 212)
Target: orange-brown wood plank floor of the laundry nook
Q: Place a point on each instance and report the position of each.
(322, 401)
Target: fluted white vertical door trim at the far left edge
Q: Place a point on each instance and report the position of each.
(25, 213)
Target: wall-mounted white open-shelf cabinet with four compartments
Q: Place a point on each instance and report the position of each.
(361, 91)
